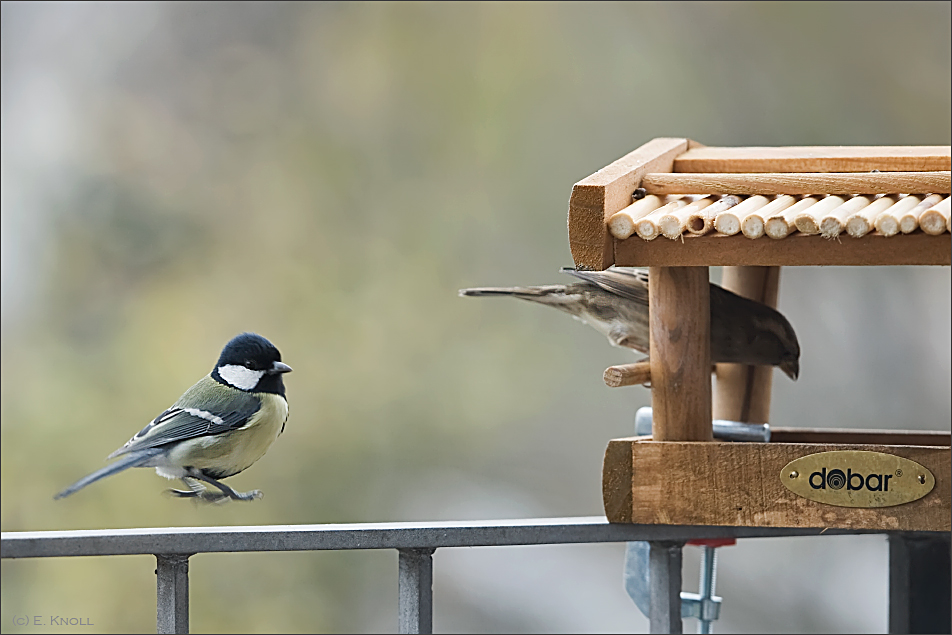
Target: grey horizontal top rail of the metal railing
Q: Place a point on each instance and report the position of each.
(492, 533)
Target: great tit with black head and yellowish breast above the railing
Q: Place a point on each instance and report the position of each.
(219, 427)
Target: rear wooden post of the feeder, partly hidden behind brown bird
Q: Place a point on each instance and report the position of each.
(743, 392)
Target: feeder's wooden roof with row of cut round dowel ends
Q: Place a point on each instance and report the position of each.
(868, 182)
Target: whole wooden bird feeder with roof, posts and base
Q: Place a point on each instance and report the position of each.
(883, 206)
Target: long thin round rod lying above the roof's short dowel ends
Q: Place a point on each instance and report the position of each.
(798, 183)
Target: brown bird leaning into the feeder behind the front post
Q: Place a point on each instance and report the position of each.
(615, 303)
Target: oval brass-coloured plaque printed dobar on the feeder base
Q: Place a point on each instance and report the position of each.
(857, 478)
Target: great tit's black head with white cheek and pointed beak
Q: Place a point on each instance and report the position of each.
(251, 363)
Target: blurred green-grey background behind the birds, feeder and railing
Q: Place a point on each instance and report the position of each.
(329, 175)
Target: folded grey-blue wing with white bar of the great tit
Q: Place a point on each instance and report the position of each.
(206, 409)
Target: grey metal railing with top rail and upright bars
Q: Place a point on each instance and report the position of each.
(414, 542)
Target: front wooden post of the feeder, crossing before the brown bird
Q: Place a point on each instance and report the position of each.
(680, 354)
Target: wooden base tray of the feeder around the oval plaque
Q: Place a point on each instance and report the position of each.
(738, 484)
